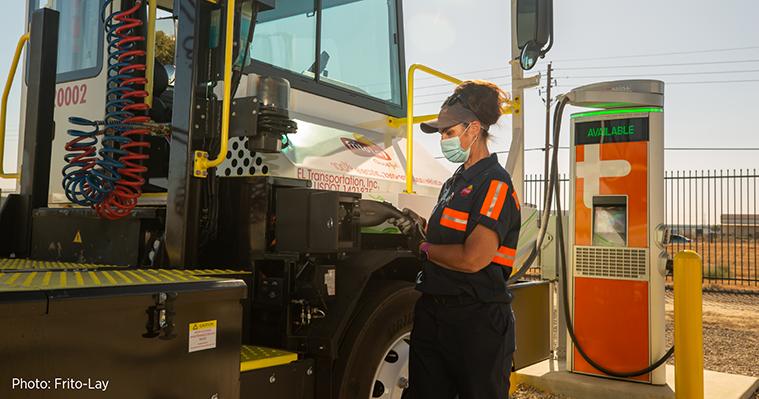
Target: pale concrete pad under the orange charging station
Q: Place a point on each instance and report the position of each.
(552, 376)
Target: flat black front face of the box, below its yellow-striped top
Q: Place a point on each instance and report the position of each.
(92, 335)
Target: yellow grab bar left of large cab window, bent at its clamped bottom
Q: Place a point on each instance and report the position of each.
(201, 161)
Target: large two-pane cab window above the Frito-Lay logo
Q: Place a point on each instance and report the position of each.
(358, 44)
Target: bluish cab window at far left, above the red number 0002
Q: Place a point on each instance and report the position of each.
(80, 40)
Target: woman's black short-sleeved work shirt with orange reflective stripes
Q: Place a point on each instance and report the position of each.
(482, 194)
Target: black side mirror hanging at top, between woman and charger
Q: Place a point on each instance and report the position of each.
(534, 30)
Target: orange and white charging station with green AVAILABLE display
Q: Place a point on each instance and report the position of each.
(617, 258)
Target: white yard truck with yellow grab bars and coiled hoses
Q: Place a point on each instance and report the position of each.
(202, 202)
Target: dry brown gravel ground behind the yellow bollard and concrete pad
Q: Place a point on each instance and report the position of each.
(731, 342)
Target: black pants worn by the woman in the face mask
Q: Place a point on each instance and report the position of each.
(463, 348)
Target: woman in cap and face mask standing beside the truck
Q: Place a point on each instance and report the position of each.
(463, 338)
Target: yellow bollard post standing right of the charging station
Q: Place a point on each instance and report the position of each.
(689, 337)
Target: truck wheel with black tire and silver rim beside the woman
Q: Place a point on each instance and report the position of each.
(373, 357)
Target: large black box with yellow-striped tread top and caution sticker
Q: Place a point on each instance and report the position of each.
(118, 333)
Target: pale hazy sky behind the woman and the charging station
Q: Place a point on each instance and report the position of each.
(687, 47)
